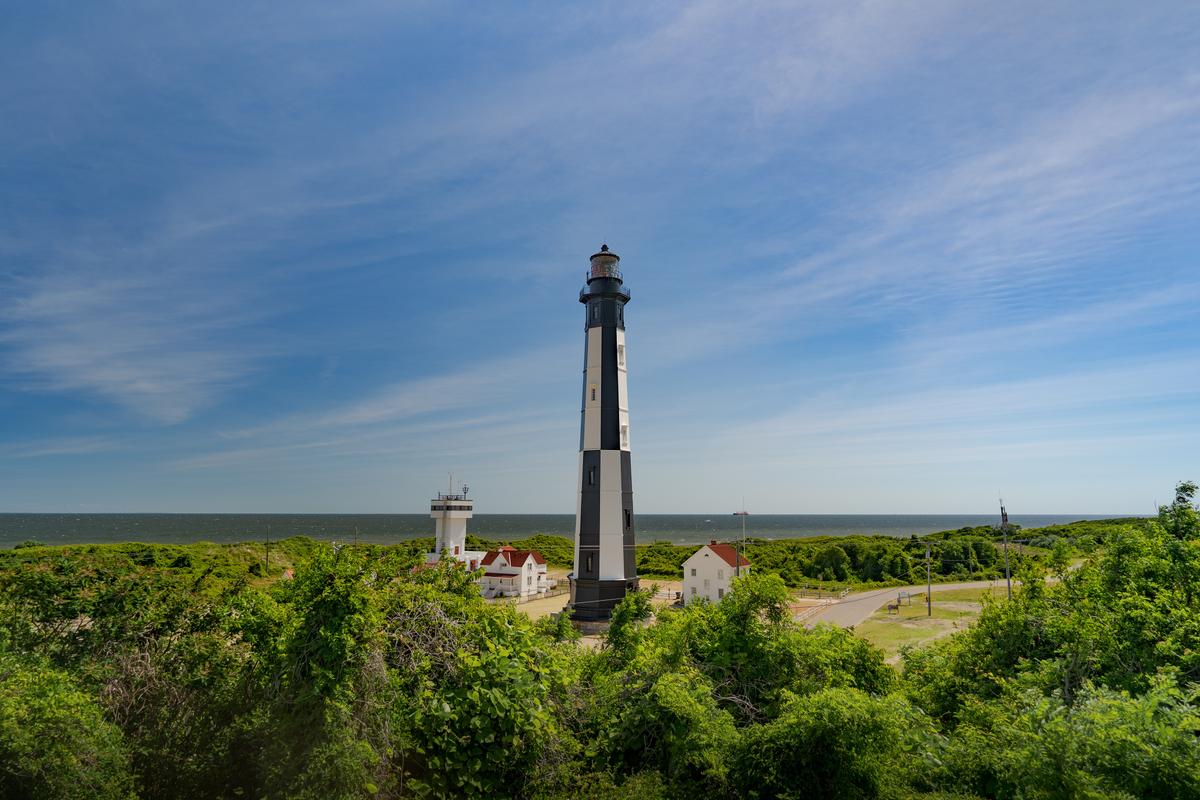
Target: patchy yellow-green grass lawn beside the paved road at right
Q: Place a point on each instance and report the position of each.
(953, 611)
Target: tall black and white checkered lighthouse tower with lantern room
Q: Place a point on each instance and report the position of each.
(605, 561)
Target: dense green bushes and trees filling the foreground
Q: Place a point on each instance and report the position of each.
(142, 672)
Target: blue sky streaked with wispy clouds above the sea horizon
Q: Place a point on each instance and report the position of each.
(885, 257)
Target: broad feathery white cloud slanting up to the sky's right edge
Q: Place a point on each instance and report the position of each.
(1022, 214)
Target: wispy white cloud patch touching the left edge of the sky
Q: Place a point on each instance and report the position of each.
(159, 347)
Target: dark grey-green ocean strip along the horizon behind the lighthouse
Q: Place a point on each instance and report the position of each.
(679, 528)
